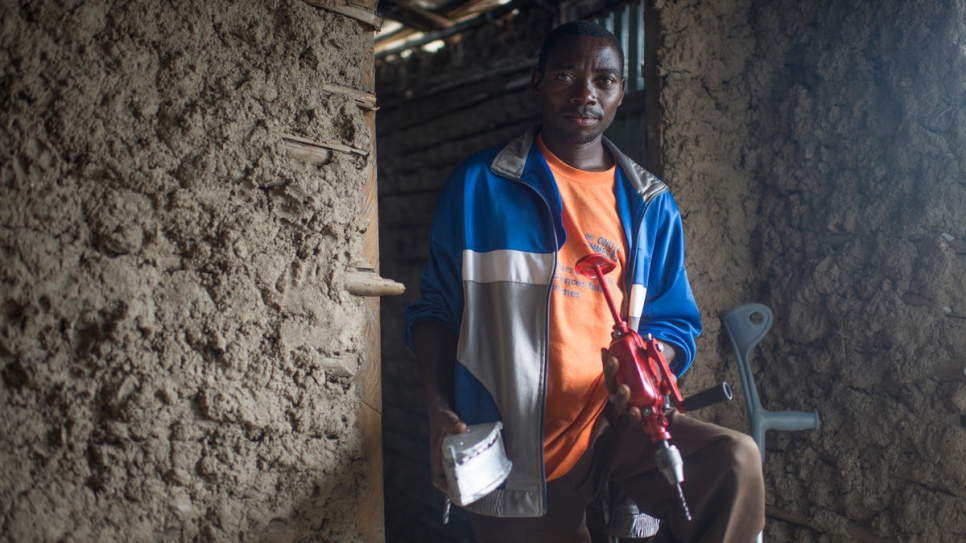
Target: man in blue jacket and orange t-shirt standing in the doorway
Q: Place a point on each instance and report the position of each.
(505, 329)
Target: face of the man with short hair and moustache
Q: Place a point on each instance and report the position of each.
(579, 89)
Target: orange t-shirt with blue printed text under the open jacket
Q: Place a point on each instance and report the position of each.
(580, 321)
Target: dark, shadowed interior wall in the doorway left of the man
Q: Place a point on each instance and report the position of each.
(434, 111)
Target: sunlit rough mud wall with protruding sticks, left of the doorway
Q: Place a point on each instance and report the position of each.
(178, 353)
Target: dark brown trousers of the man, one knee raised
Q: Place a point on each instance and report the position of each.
(723, 486)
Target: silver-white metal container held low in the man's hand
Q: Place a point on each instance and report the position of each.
(475, 462)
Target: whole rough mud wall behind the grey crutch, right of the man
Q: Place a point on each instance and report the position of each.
(833, 133)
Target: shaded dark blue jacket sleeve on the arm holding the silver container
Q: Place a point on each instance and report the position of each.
(441, 286)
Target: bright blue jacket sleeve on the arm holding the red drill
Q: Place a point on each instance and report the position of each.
(670, 312)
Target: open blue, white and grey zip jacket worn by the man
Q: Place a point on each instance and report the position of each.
(492, 255)
